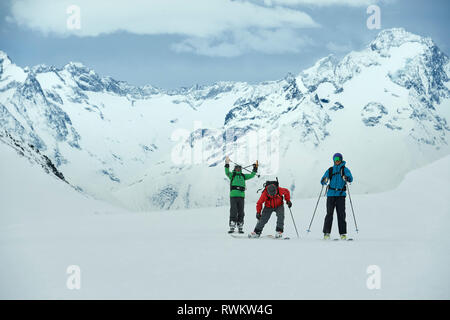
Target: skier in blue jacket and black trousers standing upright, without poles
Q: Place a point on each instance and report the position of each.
(337, 176)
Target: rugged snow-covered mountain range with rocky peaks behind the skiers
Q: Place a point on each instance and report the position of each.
(384, 107)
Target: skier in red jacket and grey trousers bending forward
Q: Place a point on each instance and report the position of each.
(272, 197)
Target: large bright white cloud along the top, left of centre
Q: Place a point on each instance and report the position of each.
(219, 27)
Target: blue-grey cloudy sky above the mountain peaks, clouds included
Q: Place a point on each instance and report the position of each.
(173, 43)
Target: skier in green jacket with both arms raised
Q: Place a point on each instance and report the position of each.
(237, 194)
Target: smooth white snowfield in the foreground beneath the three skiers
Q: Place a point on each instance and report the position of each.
(46, 226)
